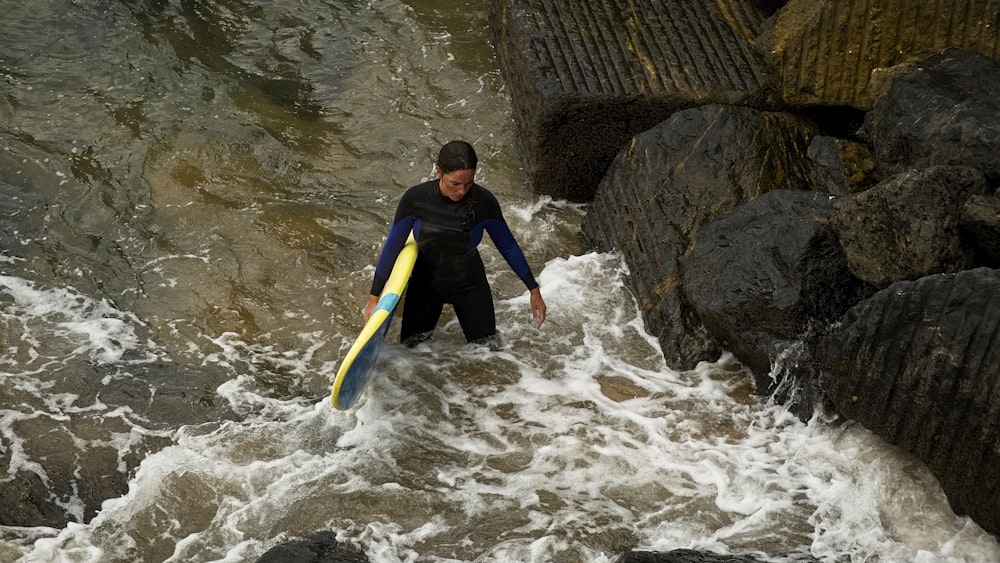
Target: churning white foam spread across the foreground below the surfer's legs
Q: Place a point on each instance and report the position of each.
(457, 453)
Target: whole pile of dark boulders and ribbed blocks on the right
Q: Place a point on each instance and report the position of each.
(719, 259)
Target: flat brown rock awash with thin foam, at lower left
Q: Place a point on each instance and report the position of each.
(85, 463)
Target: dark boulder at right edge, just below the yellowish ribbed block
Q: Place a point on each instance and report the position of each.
(943, 110)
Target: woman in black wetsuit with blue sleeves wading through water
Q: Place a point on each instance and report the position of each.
(448, 216)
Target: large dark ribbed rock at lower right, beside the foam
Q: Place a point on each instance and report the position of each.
(919, 364)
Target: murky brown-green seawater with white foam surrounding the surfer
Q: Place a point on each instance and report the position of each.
(196, 192)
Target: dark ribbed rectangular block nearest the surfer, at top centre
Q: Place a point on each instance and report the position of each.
(585, 77)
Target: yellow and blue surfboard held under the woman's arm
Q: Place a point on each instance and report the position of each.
(355, 370)
